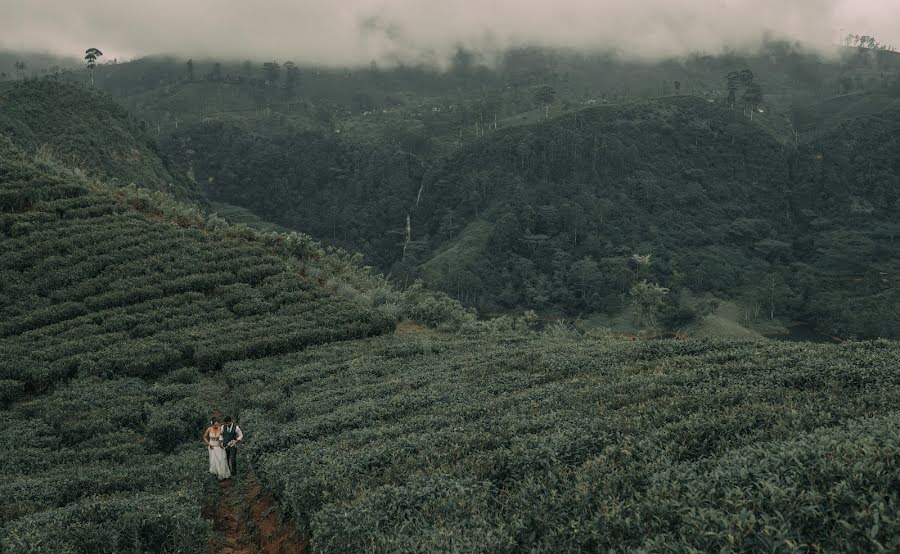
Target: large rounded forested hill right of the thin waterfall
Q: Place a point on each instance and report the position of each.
(719, 205)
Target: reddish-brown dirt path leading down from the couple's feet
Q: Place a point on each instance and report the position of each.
(249, 521)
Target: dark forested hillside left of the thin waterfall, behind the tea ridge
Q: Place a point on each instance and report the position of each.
(349, 194)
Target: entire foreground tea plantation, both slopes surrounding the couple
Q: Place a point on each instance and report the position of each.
(126, 319)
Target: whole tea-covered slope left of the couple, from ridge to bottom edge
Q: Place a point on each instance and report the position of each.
(116, 309)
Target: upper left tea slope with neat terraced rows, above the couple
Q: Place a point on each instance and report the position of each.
(118, 292)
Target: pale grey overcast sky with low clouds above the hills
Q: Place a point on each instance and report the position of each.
(357, 31)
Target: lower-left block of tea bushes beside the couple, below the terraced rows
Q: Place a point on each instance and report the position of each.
(83, 476)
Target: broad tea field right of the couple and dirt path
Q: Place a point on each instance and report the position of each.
(558, 444)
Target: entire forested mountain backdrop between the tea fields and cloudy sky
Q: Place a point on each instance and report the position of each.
(551, 181)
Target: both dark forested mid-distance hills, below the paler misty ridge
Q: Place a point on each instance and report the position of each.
(550, 216)
